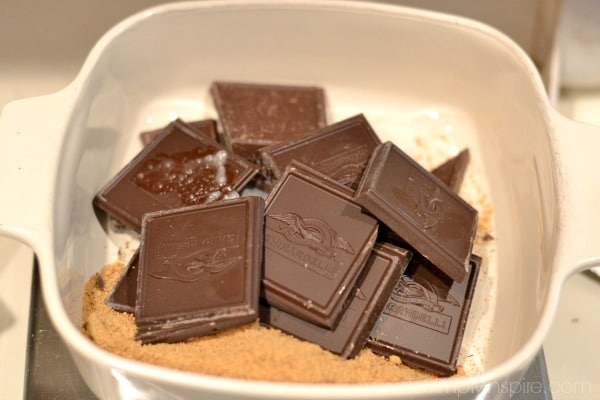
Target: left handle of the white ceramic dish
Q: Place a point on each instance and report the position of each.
(30, 143)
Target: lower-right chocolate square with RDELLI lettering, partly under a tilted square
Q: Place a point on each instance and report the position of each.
(424, 319)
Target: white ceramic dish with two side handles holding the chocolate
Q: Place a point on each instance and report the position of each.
(58, 150)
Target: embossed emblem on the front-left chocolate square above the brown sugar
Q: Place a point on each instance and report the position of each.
(198, 258)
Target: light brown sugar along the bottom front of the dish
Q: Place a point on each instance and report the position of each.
(273, 355)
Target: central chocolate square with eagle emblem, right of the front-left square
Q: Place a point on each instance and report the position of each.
(316, 244)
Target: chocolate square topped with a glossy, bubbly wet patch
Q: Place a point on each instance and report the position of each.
(179, 168)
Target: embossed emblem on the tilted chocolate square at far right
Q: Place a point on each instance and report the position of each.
(427, 202)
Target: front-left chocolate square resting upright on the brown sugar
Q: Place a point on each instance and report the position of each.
(199, 269)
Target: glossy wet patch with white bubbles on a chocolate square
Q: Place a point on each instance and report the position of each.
(195, 178)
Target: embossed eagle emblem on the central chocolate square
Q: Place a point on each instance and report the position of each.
(310, 242)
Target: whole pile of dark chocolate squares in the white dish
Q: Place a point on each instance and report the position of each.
(355, 245)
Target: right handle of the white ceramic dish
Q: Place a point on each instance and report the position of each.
(577, 151)
